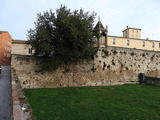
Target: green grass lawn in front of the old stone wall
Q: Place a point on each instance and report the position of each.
(125, 102)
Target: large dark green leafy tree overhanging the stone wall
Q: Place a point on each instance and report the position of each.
(63, 37)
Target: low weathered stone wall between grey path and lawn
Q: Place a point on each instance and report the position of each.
(20, 108)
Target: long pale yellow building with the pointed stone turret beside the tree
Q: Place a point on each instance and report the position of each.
(131, 39)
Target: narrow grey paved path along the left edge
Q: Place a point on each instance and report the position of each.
(5, 109)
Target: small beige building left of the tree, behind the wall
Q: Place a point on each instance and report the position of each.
(20, 47)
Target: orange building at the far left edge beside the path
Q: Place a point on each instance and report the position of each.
(5, 47)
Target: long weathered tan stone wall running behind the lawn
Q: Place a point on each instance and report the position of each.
(111, 66)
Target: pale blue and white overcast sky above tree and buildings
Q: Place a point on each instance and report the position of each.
(18, 16)
